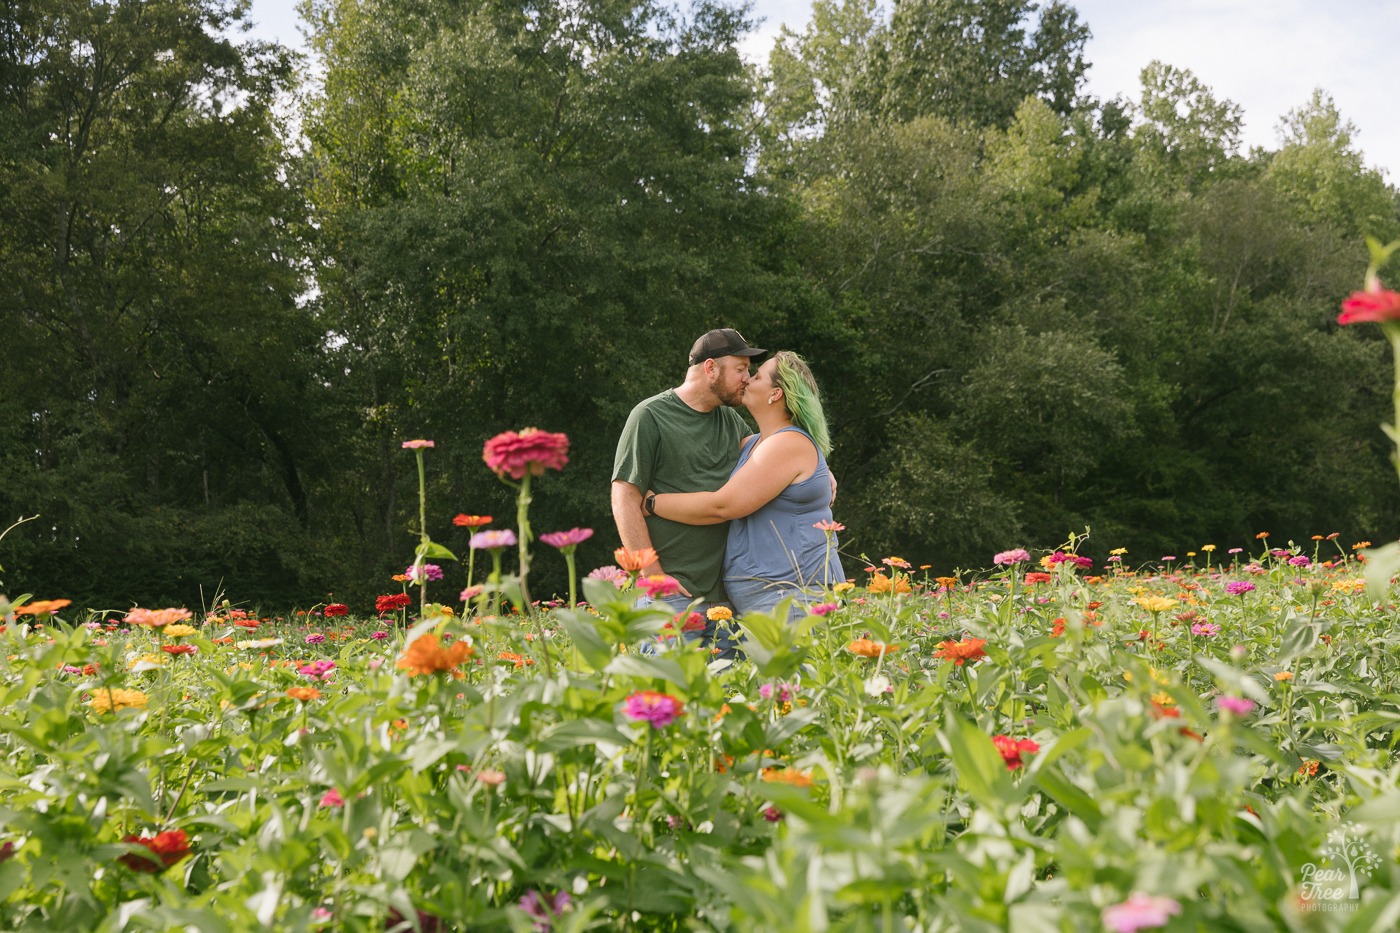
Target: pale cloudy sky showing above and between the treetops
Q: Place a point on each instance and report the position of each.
(1265, 55)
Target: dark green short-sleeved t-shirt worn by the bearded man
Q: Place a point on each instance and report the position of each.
(667, 446)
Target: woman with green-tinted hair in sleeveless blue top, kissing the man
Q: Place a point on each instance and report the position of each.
(778, 494)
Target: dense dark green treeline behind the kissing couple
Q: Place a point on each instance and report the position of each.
(229, 295)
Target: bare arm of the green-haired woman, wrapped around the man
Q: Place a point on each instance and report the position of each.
(775, 466)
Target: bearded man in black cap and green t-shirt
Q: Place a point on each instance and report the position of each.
(685, 441)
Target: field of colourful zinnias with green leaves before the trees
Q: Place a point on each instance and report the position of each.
(1041, 747)
